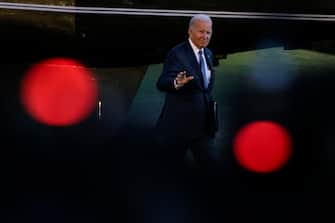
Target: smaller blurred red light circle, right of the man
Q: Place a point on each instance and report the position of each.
(262, 147)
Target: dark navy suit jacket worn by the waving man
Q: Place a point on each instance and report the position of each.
(185, 111)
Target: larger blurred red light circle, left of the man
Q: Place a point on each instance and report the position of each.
(59, 92)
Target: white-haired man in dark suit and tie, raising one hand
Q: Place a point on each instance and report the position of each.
(187, 79)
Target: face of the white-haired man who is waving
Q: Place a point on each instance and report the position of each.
(200, 33)
